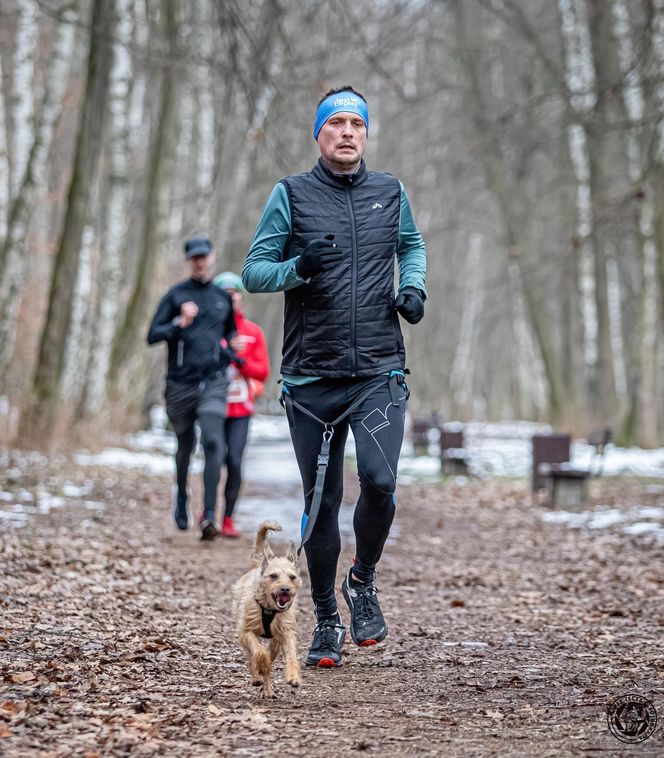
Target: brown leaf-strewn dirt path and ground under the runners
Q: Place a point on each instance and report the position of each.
(508, 636)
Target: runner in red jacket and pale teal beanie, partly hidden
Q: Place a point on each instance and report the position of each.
(245, 385)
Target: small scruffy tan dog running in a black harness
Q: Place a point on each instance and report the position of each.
(265, 604)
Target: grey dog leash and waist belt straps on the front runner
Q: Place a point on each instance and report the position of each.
(394, 380)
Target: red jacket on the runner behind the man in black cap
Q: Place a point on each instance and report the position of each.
(246, 381)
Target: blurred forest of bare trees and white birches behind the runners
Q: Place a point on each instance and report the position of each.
(529, 134)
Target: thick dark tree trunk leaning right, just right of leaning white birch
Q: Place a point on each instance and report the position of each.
(48, 373)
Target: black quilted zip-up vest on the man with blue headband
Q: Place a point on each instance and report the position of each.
(342, 323)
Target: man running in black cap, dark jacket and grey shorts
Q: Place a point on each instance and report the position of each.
(194, 317)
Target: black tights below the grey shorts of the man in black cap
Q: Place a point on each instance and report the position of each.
(212, 439)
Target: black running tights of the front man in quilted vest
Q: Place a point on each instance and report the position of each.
(377, 427)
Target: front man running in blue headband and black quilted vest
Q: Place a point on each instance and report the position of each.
(329, 238)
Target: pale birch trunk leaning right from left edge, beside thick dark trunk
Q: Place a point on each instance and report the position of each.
(13, 247)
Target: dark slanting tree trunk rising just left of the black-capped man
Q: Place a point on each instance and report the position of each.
(160, 162)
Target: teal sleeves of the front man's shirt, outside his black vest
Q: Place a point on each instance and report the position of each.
(266, 271)
